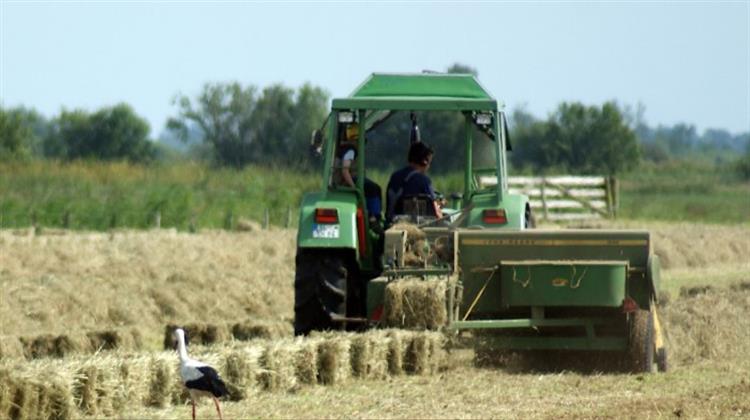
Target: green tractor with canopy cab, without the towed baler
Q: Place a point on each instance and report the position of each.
(346, 221)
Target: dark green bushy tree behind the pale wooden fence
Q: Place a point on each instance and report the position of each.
(579, 139)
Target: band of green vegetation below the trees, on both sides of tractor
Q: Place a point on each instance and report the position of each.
(98, 196)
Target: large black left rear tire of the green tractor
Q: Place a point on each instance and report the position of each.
(319, 291)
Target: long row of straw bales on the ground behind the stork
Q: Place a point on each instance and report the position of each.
(108, 384)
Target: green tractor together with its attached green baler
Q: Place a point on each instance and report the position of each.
(519, 288)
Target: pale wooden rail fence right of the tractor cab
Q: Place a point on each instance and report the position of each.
(562, 198)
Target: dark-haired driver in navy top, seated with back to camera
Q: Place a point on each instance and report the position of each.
(412, 180)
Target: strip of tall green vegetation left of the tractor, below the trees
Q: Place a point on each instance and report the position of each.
(95, 195)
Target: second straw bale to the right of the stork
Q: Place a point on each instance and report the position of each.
(277, 363)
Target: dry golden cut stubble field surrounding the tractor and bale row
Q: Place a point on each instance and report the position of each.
(59, 284)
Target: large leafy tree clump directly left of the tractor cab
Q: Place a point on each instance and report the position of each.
(244, 128)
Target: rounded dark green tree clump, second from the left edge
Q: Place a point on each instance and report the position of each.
(111, 133)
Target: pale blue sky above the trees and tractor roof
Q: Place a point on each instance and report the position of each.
(685, 61)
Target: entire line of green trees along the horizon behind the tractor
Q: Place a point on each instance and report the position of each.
(233, 125)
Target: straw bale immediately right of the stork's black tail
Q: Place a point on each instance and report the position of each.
(241, 368)
